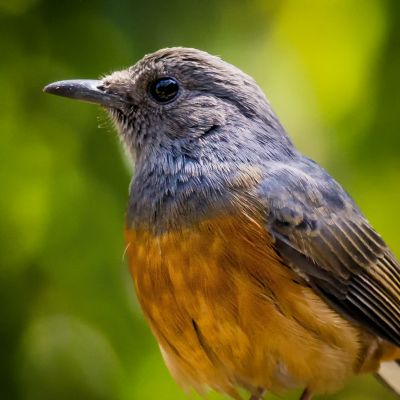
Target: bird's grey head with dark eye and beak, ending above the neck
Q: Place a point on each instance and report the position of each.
(184, 100)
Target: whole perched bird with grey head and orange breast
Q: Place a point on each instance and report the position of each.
(255, 270)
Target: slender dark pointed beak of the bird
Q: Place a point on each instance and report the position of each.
(88, 90)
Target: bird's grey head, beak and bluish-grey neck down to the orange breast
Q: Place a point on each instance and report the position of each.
(199, 130)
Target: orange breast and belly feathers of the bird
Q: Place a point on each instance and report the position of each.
(227, 313)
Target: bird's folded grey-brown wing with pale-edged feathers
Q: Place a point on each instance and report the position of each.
(320, 233)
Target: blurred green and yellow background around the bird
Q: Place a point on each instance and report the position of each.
(70, 325)
